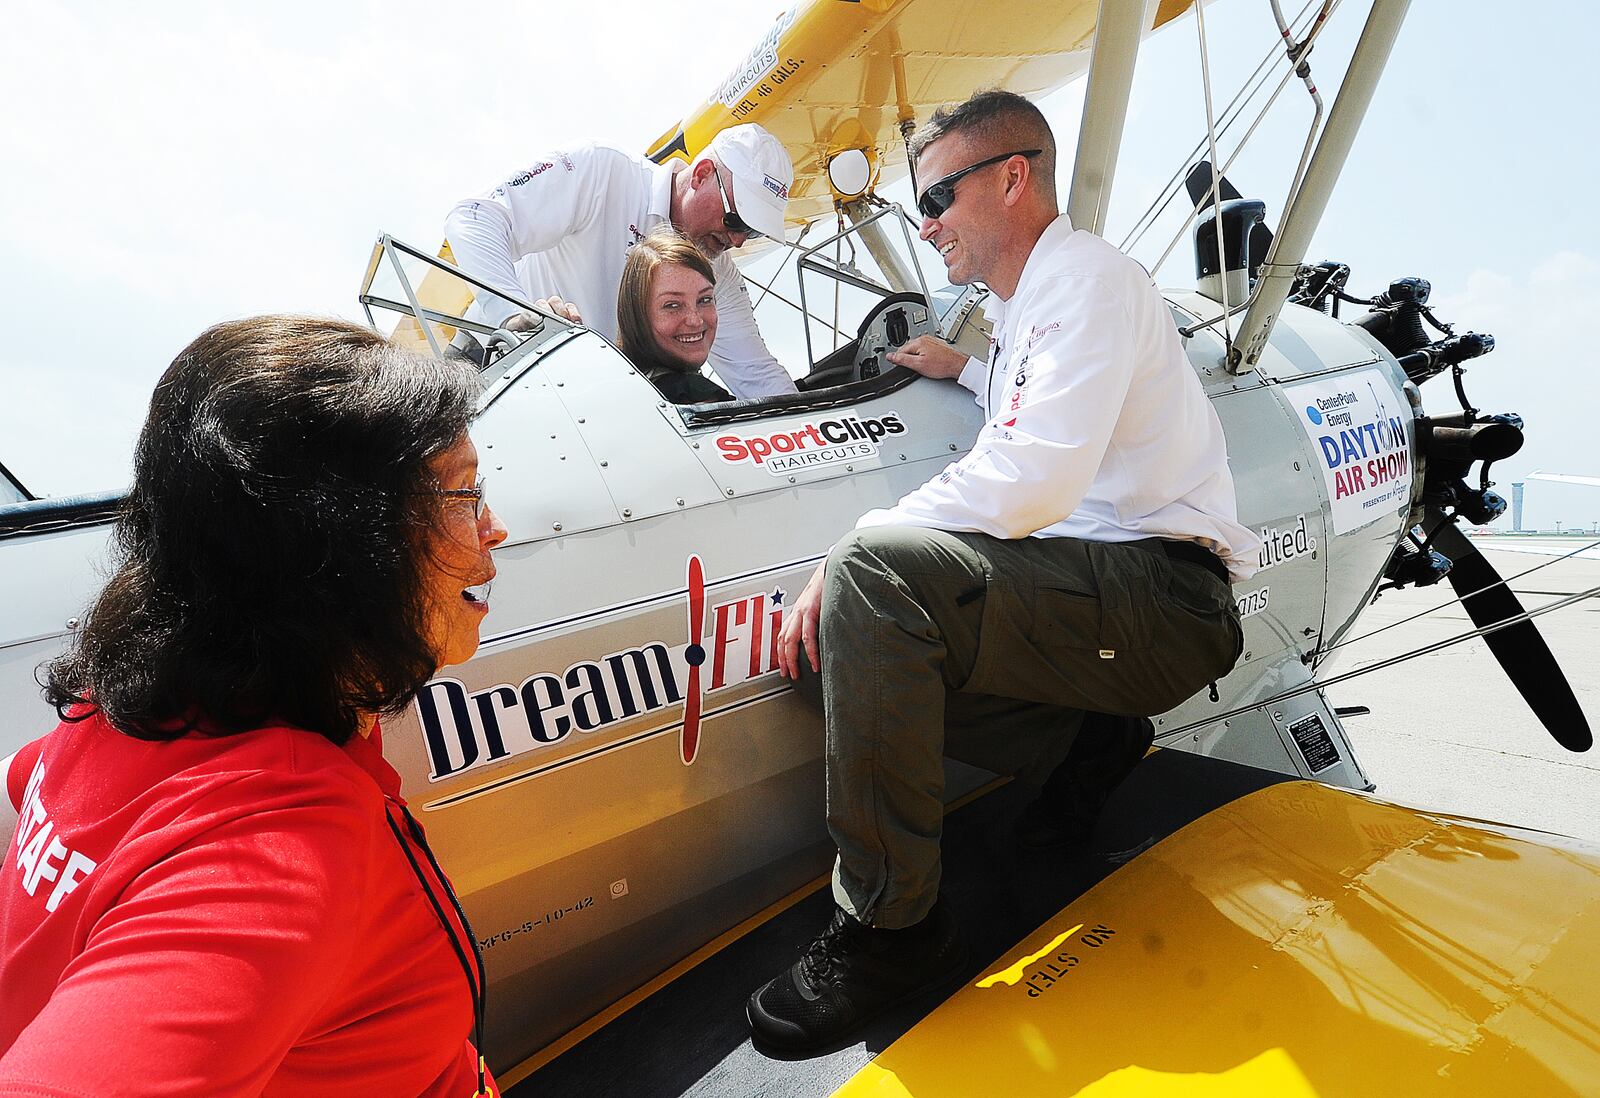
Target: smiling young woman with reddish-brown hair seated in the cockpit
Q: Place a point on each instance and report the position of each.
(666, 316)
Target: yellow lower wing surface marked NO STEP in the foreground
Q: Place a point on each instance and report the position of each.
(1302, 942)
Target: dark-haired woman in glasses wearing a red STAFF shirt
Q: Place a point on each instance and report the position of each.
(215, 886)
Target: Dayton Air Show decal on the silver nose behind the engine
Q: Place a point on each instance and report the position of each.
(1356, 428)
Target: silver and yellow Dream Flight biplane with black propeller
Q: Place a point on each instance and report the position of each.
(630, 798)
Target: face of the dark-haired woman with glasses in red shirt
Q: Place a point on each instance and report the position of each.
(457, 561)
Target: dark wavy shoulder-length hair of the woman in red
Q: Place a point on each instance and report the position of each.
(273, 548)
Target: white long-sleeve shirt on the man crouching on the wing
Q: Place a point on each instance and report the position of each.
(1098, 427)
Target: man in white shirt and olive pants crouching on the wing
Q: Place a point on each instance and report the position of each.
(1076, 561)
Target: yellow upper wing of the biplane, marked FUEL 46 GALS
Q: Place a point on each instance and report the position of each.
(831, 76)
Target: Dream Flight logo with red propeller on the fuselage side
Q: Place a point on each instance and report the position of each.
(473, 729)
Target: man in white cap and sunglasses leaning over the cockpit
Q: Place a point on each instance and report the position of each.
(559, 233)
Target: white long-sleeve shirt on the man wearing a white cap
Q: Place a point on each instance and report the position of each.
(564, 226)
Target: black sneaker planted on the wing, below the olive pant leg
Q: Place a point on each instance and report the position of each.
(850, 976)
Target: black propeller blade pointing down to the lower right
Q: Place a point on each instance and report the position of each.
(1521, 651)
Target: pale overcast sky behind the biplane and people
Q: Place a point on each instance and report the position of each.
(178, 164)
